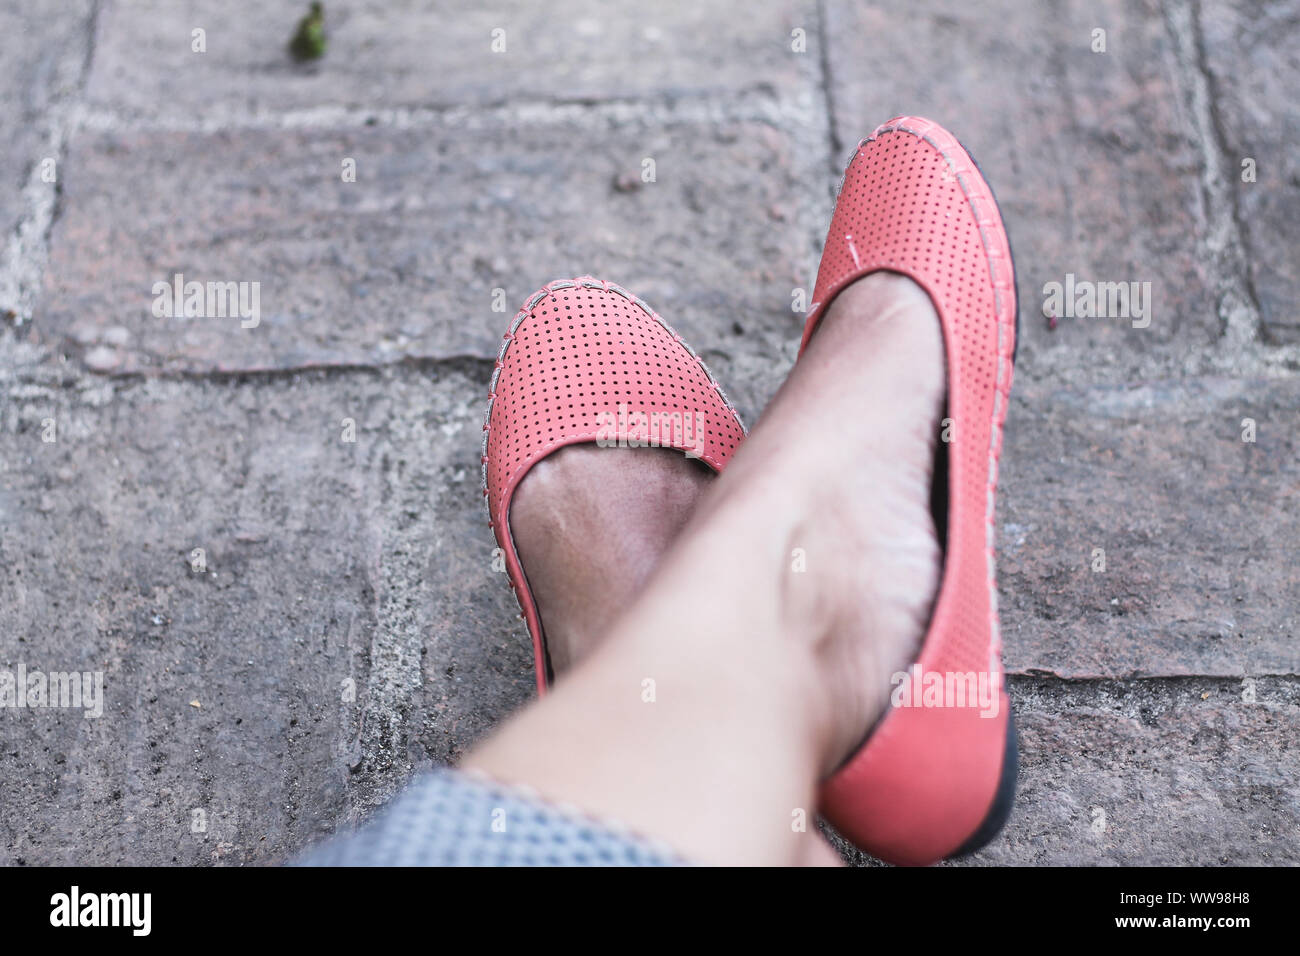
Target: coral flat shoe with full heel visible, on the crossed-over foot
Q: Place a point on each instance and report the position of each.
(937, 777)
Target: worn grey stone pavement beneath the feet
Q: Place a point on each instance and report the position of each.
(346, 629)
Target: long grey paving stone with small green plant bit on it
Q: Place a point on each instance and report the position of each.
(415, 55)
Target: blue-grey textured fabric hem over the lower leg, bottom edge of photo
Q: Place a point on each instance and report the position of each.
(448, 819)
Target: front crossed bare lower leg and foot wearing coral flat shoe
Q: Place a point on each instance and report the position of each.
(762, 651)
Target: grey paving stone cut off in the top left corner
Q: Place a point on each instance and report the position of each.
(44, 46)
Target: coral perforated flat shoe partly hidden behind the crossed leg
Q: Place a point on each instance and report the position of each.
(586, 361)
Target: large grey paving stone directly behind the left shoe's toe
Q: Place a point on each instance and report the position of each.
(404, 263)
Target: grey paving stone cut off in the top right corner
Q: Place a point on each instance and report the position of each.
(1253, 55)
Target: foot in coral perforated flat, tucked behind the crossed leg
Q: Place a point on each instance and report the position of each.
(584, 364)
